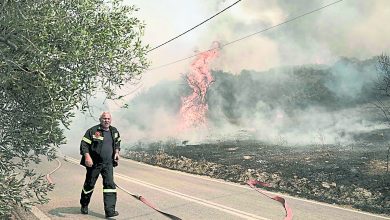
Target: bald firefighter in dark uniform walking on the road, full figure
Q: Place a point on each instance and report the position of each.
(100, 153)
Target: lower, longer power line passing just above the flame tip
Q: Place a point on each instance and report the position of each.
(247, 36)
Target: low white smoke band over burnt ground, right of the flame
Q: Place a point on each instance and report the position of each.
(312, 126)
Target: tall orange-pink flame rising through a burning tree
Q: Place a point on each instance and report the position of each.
(194, 107)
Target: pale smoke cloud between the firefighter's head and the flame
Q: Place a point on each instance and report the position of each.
(152, 114)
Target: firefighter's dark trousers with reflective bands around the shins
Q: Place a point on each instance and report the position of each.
(109, 189)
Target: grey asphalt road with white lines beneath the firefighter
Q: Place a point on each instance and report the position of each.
(183, 195)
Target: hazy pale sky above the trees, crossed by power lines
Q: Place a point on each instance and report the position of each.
(350, 28)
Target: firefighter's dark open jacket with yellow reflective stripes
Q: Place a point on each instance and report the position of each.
(92, 143)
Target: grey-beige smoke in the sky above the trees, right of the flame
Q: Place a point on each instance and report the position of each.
(348, 28)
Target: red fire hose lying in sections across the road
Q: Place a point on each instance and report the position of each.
(251, 183)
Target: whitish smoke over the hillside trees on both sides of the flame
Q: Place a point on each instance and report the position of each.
(296, 105)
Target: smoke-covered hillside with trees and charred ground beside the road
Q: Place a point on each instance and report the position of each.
(311, 131)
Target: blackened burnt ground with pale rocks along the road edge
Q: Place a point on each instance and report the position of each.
(353, 176)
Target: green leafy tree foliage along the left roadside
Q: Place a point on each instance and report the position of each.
(55, 55)
